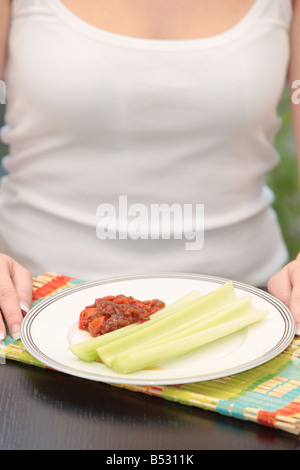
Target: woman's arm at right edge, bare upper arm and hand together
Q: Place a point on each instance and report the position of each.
(285, 285)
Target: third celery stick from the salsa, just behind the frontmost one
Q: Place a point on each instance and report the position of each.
(237, 309)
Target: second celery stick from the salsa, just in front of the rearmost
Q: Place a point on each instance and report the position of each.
(204, 306)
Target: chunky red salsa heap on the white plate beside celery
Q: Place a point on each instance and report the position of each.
(113, 312)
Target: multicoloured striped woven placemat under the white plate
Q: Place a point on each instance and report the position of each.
(268, 395)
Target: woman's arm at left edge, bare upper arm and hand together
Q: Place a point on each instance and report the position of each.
(15, 281)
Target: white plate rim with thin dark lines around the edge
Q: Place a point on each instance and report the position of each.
(283, 343)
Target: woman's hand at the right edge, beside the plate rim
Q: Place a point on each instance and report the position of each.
(285, 285)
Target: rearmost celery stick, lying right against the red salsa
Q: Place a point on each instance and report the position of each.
(86, 350)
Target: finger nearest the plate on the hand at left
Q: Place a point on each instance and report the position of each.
(23, 282)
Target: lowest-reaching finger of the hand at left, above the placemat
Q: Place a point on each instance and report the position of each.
(9, 304)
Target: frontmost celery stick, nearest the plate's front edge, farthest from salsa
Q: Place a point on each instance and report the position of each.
(135, 361)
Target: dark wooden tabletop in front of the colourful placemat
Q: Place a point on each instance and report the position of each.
(44, 409)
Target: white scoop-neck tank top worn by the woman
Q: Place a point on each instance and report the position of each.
(93, 115)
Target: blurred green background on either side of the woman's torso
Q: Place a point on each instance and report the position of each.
(283, 179)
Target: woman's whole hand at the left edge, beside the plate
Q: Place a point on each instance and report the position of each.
(15, 295)
